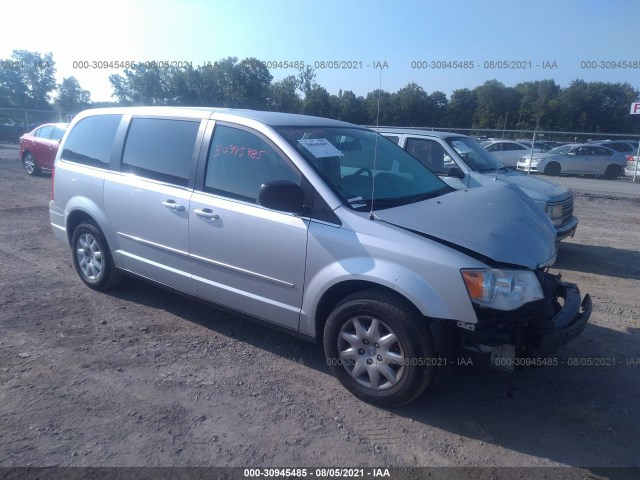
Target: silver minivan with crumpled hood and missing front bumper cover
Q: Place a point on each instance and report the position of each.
(320, 227)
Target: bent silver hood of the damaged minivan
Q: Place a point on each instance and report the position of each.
(498, 222)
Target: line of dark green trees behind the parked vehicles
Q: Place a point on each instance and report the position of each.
(541, 104)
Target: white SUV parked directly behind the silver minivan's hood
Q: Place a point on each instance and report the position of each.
(462, 163)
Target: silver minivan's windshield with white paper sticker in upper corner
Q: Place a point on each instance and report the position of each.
(348, 161)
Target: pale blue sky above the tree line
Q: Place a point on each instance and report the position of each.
(559, 34)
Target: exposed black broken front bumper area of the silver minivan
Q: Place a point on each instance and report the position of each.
(535, 330)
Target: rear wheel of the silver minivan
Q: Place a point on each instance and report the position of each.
(92, 258)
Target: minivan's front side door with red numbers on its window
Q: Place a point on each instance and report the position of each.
(245, 256)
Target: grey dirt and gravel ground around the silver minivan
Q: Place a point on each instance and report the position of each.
(142, 377)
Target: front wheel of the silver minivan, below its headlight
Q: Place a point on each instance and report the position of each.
(380, 348)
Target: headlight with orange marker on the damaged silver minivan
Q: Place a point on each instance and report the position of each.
(502, 289)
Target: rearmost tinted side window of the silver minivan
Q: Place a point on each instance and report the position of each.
(91, 140)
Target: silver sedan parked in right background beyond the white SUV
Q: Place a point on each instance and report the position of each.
(586, 159)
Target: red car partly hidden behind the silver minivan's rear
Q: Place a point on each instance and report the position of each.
(38, 148)
